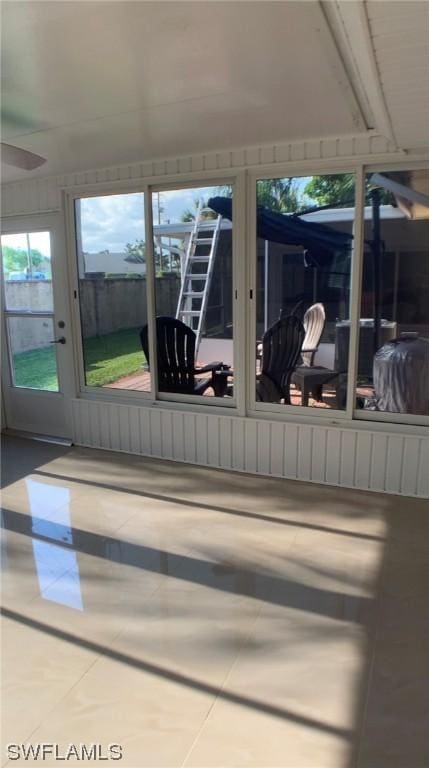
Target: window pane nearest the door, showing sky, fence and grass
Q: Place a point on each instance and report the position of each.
(110, 239)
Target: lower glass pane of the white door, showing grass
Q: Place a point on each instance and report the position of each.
(33, 357)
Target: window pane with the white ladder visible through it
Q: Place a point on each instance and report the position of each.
(193, 290)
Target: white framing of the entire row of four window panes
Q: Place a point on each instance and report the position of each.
(244, 281)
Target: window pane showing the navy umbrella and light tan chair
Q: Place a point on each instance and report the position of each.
(304, 255)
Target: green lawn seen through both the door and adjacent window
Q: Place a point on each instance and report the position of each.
(107, 358)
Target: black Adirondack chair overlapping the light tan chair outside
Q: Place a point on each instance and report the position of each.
(281, 347)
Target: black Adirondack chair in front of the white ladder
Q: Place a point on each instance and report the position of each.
(176, 360)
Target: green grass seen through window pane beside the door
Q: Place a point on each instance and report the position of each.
(108, 358)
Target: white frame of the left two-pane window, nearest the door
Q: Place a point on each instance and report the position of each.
(154, 184)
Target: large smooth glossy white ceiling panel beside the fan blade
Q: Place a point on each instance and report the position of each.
(90, 84)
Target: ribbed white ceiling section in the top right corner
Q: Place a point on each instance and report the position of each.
(385, 50)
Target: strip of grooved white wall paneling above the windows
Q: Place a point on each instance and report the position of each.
(40, 195)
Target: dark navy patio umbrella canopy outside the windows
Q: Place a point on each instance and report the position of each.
(321, 242)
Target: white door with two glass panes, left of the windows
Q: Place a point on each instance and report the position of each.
(37, 370)
